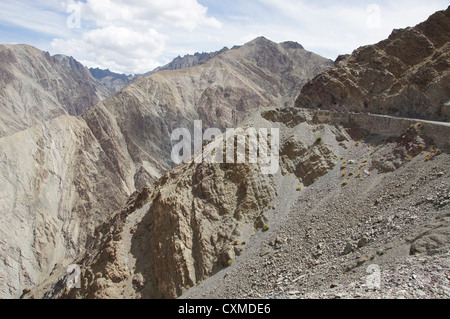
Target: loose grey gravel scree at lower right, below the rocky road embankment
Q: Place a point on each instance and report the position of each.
(301, 256)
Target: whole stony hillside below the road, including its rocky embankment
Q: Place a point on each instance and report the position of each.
(384, 205)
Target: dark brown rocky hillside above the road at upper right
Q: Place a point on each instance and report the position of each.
(406, 75)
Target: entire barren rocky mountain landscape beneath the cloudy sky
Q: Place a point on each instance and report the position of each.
(87, 177)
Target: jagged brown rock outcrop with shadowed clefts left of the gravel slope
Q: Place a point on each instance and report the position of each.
(171, 237)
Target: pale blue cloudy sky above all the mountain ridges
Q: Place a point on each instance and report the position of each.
(136, 36)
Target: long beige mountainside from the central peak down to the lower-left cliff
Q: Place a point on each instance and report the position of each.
(62, 178)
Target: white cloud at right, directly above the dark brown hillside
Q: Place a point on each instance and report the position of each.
(332, 28)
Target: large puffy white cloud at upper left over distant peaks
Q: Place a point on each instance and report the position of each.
(131, 36)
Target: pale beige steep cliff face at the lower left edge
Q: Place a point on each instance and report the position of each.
(57, 185)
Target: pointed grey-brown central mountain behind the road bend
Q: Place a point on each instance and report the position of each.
(221, 93)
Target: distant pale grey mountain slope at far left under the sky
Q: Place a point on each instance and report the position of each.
(36, 87)
